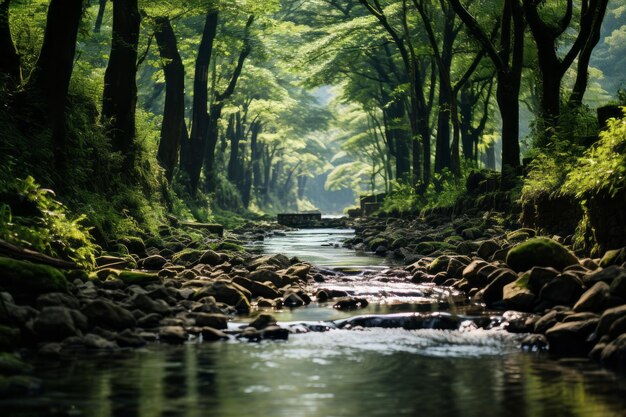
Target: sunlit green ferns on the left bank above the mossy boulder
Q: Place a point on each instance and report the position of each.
(33, 218)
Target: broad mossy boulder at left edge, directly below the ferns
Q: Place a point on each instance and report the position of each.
(26, 279)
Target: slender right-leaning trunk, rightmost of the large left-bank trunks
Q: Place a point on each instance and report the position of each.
(193, 152)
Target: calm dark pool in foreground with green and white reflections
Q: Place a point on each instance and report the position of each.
(321, 376)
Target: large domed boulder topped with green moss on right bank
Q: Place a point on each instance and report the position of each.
(540, 252)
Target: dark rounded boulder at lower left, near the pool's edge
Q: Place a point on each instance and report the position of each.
(57, 323)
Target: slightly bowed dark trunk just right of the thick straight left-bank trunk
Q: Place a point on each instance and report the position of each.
(173, 128)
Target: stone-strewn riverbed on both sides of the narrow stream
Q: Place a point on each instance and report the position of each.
(170, 289)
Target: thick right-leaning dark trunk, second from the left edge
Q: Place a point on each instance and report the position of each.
(53, 70)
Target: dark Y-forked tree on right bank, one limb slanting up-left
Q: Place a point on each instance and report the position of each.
(507, 57)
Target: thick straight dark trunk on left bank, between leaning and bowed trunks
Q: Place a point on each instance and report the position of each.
(120, 86)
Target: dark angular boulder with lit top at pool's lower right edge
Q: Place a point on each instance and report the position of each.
(571, 338)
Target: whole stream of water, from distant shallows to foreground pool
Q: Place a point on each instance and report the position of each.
(366, 371)
